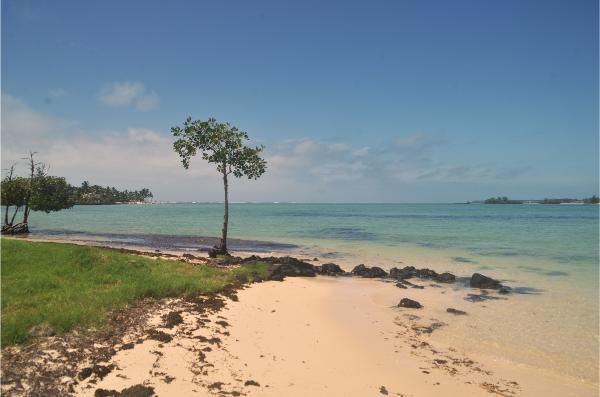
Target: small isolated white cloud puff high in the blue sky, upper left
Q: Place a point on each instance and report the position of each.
(129, 94)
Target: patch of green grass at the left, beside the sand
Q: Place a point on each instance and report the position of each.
(67, 285)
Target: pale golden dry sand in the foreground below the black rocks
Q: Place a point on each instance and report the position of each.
(322, 336)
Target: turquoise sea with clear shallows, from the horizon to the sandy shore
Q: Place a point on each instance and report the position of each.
(548, 253)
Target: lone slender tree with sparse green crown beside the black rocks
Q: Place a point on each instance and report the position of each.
(225, 146)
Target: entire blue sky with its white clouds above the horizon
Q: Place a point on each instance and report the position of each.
(373, 101)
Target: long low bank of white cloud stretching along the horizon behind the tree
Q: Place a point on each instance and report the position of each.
(298, 170)
